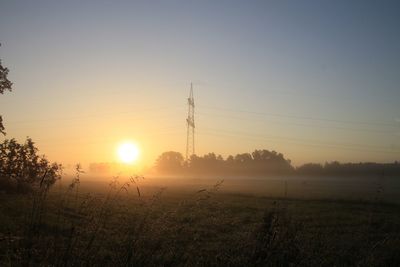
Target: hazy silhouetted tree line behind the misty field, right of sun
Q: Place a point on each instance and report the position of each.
(261, 163)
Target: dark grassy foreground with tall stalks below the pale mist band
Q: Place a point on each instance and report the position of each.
(128, 226)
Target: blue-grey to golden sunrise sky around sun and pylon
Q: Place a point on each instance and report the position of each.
(315, 80)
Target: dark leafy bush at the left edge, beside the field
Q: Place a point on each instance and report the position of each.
(22, 169)
